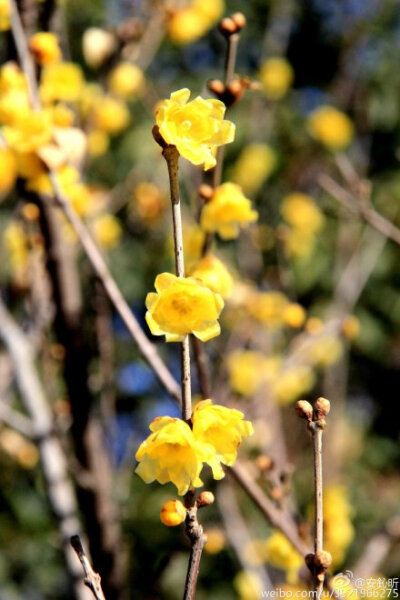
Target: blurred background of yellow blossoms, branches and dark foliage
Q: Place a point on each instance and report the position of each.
(313, 307)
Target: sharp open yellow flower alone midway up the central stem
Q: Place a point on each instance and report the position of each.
(182, 306)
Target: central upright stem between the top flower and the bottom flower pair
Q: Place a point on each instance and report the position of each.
(171, 156)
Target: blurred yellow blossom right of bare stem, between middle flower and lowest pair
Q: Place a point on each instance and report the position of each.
(248, 369)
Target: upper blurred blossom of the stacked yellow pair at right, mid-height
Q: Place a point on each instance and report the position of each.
(301, 212)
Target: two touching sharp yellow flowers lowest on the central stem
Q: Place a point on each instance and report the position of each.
(175, 453)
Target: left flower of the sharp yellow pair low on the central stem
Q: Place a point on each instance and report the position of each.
(171, 454)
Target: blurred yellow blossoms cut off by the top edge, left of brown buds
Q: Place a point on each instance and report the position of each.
(194, 19)
